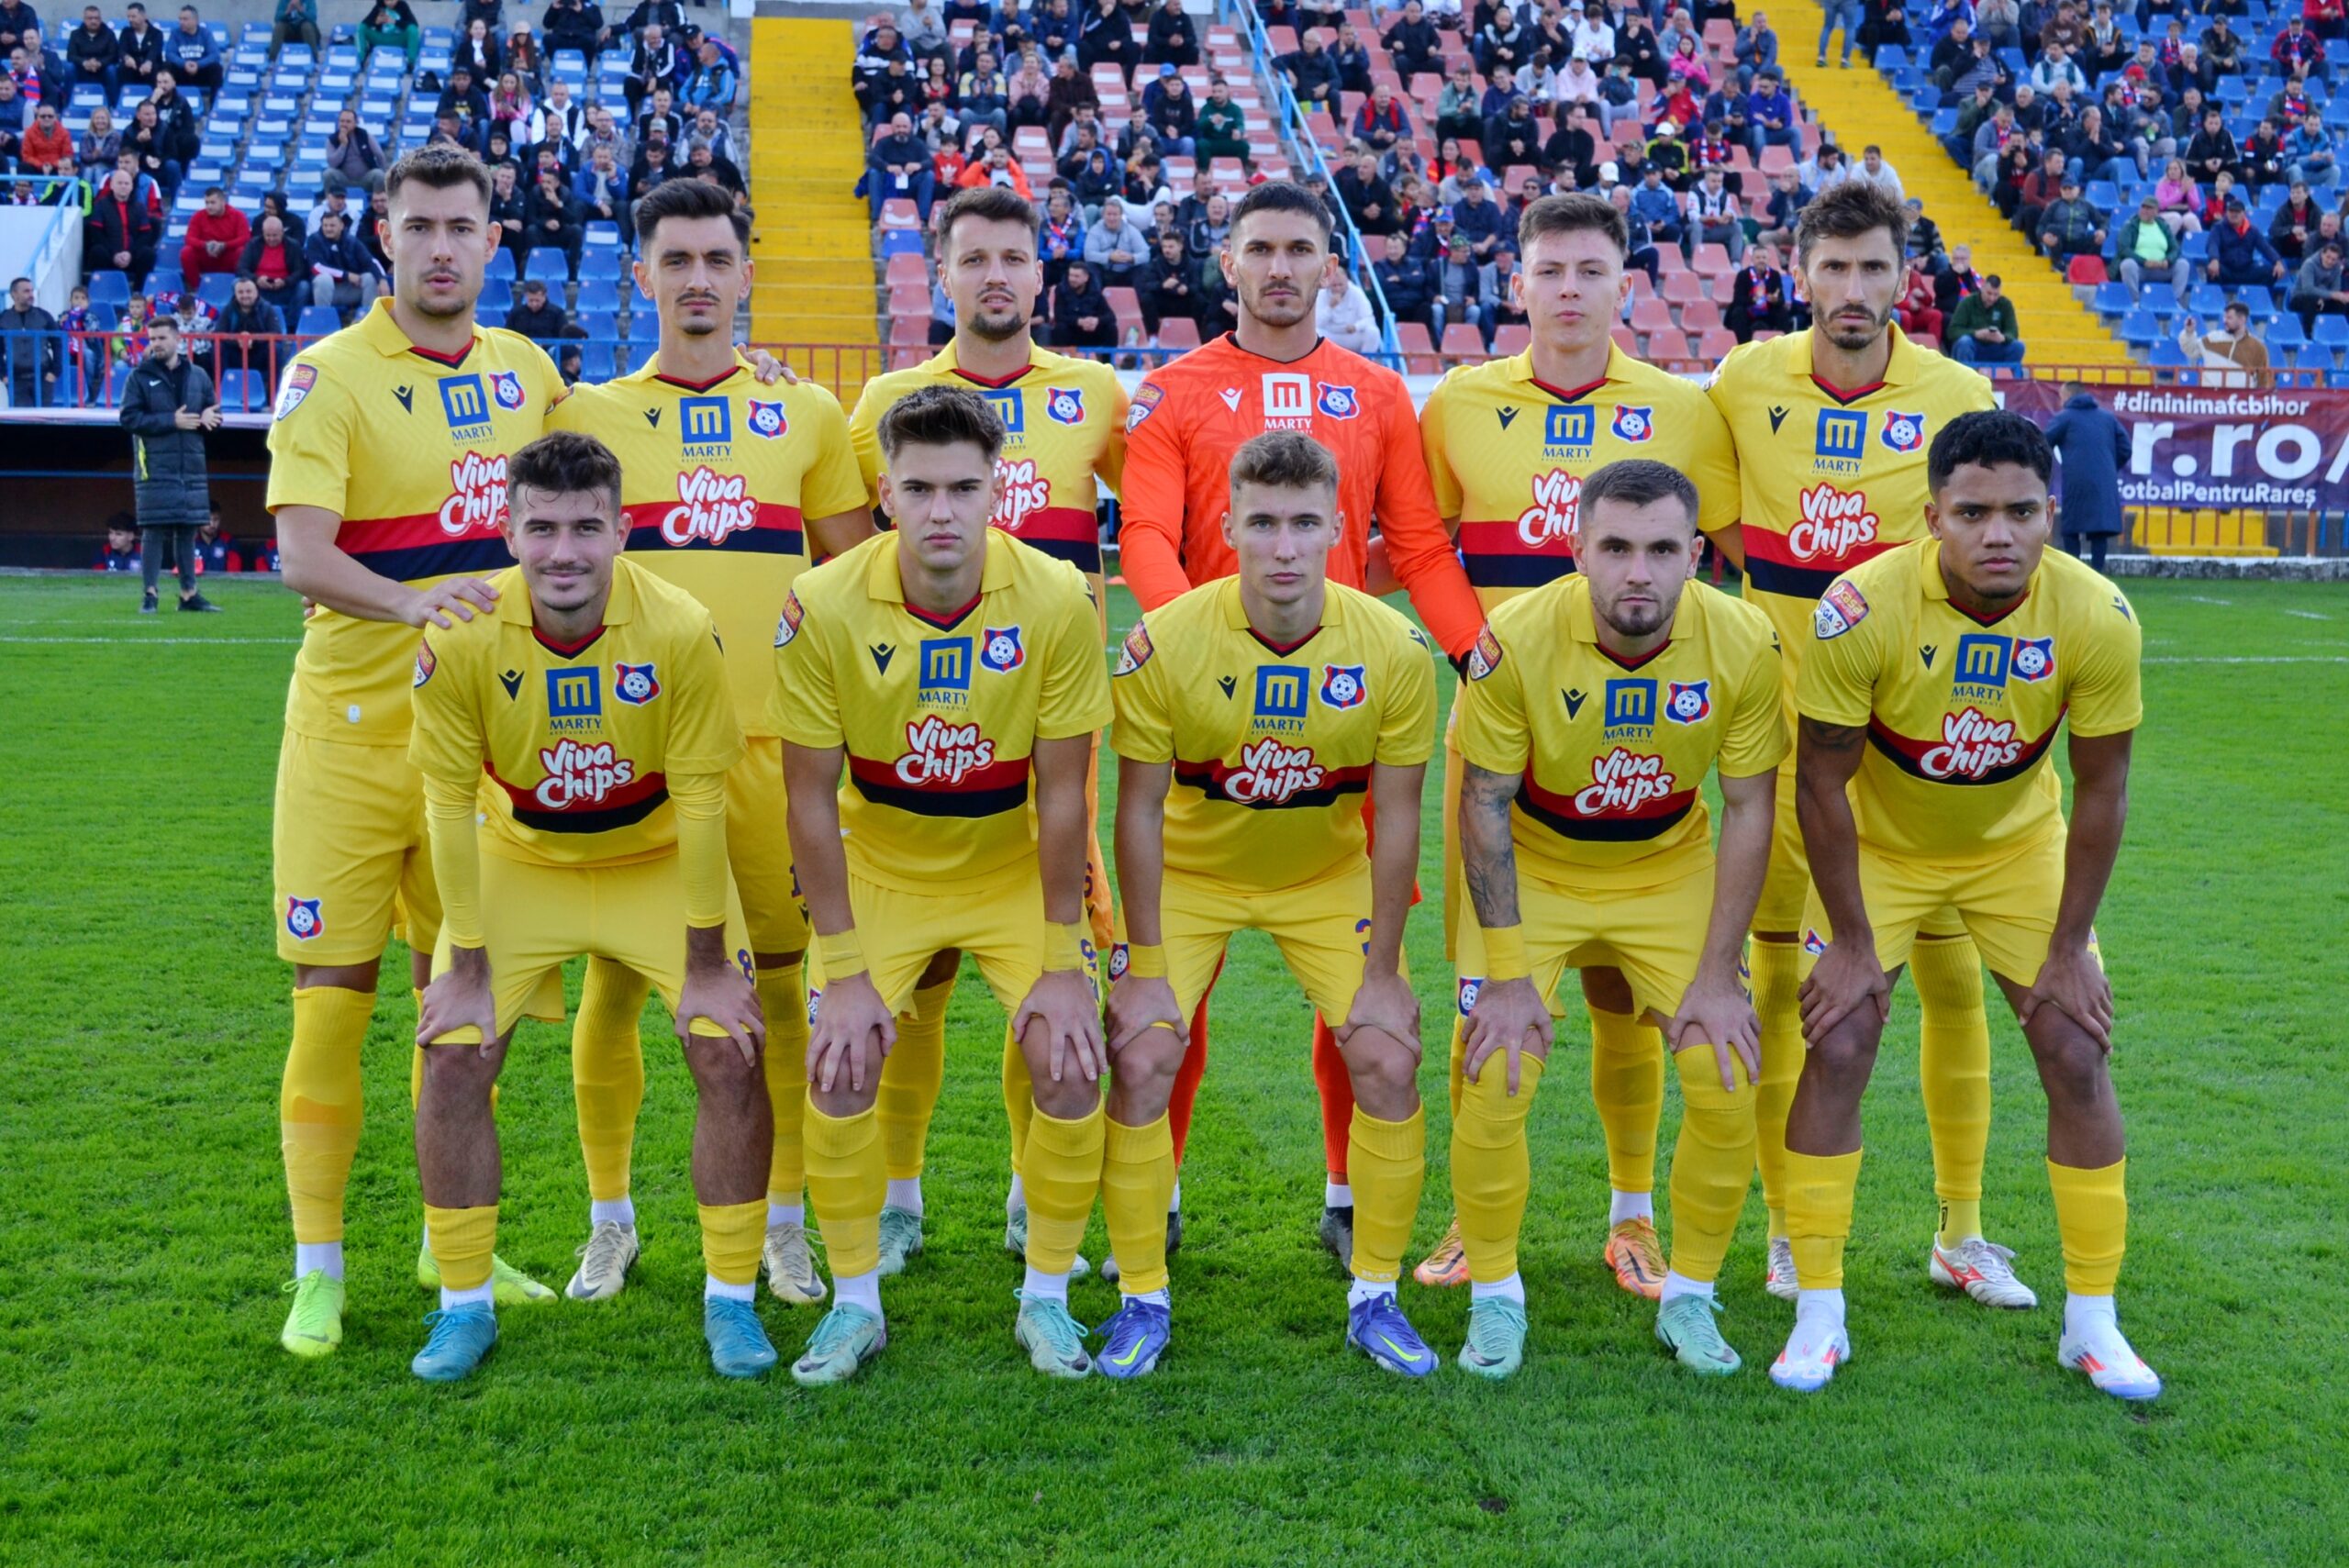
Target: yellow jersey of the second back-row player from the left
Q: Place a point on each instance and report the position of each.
(718, 485)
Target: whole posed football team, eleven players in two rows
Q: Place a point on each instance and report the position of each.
(631, 675)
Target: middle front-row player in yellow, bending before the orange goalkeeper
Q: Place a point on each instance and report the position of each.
(1270, 703)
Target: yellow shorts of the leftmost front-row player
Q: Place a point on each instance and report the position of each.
(537, 919)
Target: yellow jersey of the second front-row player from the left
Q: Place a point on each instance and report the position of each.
(938, 717)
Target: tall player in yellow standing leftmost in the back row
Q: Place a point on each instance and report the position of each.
(389, 485)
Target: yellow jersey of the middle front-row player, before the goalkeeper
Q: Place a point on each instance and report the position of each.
(1272, 748)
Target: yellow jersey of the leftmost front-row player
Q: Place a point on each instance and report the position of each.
(577, 745)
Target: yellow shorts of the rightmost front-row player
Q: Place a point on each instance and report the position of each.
(2007, 905)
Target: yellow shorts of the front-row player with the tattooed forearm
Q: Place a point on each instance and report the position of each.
(1653, 935)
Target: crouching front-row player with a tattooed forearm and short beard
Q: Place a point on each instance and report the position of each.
(1589, 719)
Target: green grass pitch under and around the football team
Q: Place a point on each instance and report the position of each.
(149, 1417)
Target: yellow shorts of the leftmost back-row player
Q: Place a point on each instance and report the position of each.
(351, 856)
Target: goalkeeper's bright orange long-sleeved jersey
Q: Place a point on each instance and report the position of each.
(1192, 414)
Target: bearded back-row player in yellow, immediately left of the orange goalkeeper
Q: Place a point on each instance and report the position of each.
(1063, 442)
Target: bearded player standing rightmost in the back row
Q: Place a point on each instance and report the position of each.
(1831, 428)
